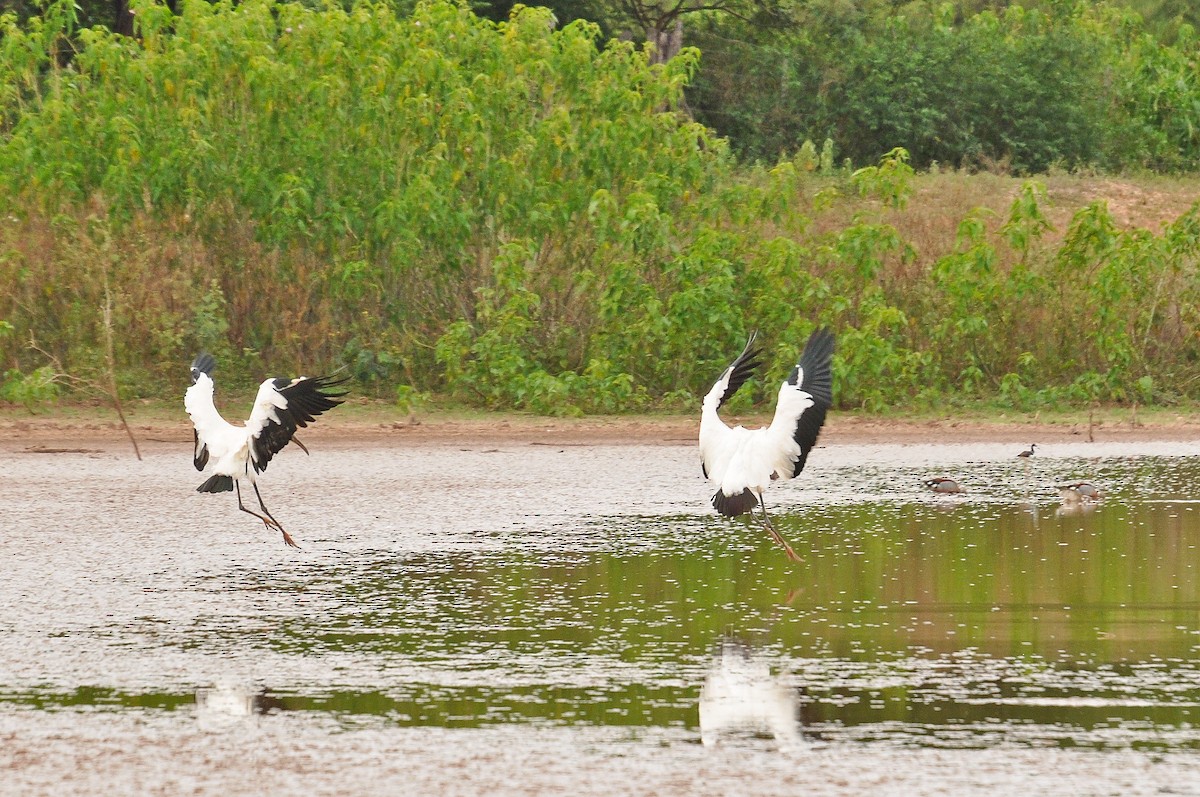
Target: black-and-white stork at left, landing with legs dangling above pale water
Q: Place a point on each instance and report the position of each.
(243, 452)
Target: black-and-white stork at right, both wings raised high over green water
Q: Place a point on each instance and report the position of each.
(743, 463)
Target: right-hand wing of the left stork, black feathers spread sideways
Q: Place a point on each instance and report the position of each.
(281, 408)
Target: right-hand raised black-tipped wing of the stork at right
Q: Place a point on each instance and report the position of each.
(807, 395)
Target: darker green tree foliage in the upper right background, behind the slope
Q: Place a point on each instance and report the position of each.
(1022, 91)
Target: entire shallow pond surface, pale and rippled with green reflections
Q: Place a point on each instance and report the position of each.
(575, 619)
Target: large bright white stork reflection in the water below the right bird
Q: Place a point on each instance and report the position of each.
(741, 697)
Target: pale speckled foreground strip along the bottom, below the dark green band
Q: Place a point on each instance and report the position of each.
(87, 756)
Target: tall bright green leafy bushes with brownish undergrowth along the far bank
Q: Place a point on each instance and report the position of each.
(515, 215)
